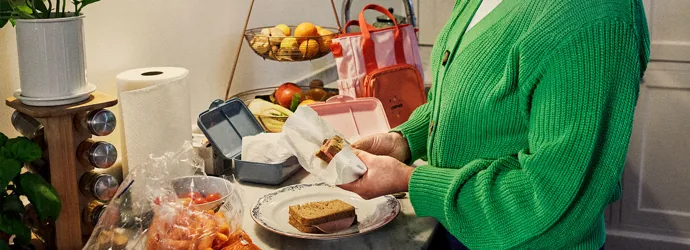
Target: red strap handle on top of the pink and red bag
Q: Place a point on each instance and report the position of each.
(368, 49)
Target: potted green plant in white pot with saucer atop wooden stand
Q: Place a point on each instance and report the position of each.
(50, 46)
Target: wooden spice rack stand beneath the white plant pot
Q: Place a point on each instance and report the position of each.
(65, 170)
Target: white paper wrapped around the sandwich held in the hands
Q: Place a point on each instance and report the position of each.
(304, 132)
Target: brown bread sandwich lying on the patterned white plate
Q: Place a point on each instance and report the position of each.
(315, 213)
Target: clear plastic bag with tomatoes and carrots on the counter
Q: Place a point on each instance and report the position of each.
(169, 204)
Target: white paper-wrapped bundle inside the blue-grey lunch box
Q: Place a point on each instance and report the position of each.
(265, 148)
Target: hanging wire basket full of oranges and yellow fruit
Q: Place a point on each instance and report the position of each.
(271, 43)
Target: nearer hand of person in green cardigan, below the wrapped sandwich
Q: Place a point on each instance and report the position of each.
(385, 175)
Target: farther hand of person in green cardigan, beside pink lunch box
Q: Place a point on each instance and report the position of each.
(389, 144)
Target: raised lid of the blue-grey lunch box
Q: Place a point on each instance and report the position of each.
(225, 123)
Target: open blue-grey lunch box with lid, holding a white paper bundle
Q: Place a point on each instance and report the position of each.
(224, 124)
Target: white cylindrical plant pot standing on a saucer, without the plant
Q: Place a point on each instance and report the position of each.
(51, 57)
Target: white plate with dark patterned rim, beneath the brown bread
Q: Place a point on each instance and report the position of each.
(271, 211)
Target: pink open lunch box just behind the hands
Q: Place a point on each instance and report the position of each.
(354, 117)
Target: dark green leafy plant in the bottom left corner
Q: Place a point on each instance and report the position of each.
(15, 218)
